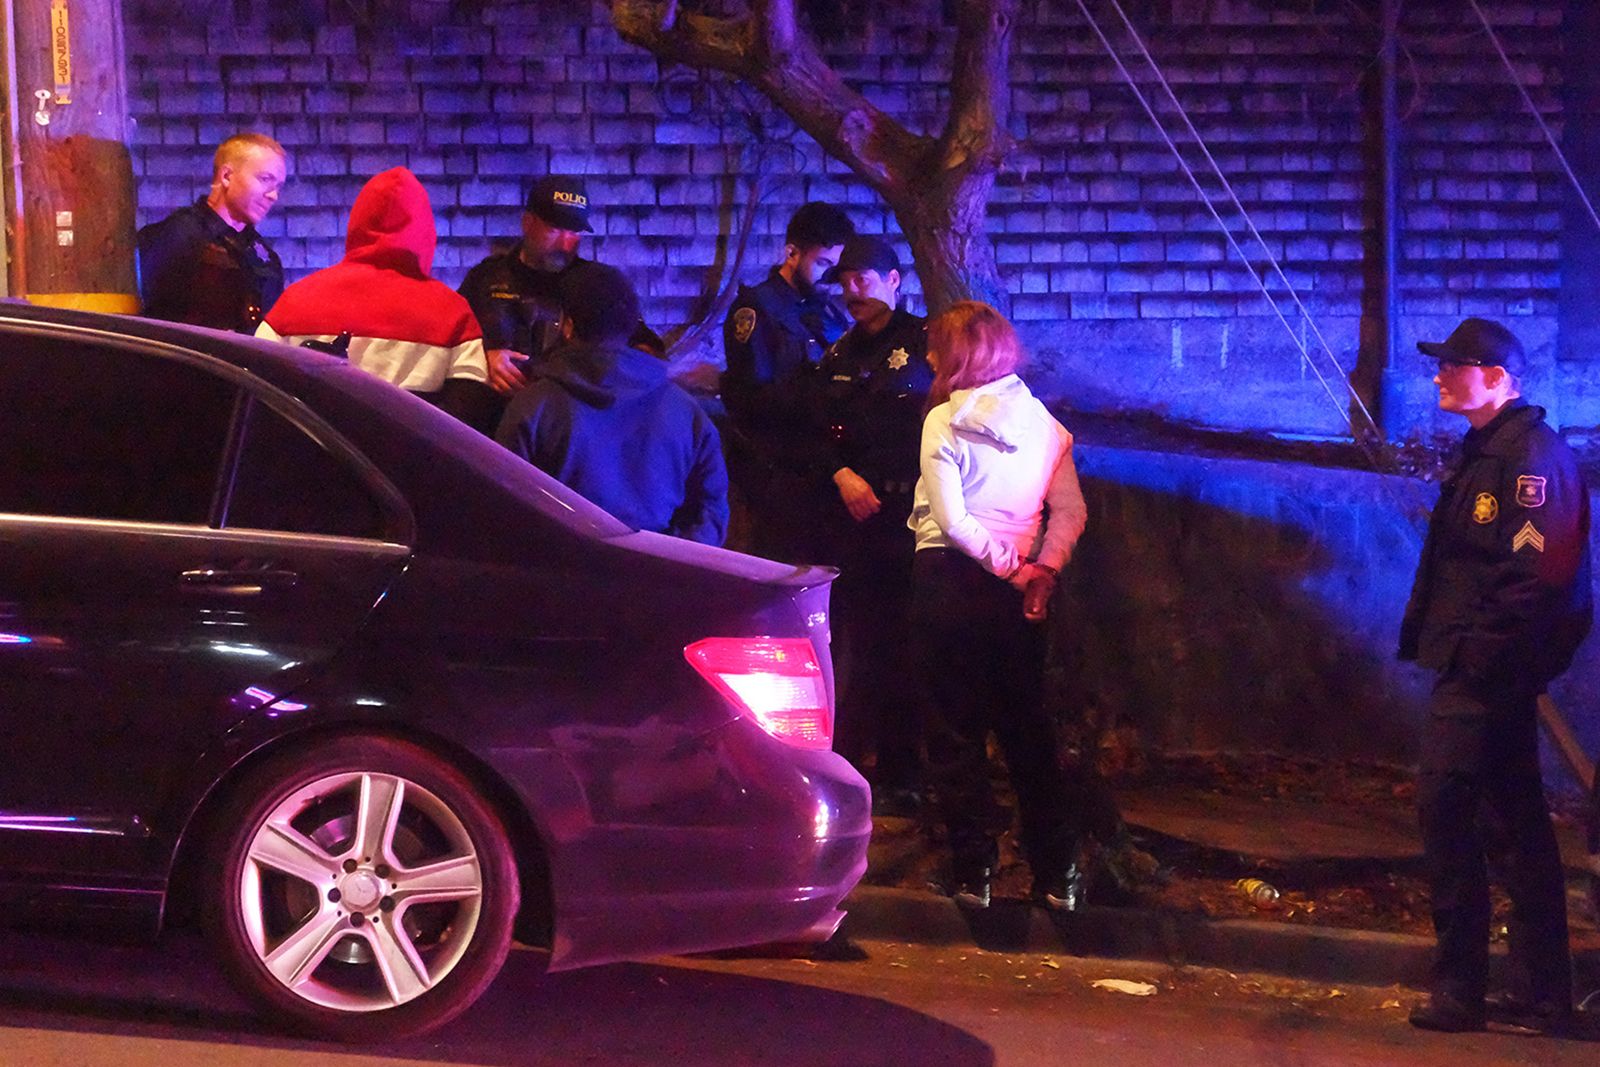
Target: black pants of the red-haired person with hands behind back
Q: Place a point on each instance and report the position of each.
(982, 665)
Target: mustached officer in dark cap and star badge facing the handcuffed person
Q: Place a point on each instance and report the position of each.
(873, 390)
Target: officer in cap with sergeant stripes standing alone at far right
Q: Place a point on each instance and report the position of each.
(1500, 607)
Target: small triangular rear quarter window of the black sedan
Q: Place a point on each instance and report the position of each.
(289, 482)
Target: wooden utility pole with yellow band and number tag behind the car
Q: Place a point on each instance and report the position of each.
(71, 191)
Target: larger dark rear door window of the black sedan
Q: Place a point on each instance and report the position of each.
(92, 431)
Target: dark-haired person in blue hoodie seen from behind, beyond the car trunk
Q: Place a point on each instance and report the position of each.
(606, 422)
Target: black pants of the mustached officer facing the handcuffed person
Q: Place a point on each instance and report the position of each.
(879, 701)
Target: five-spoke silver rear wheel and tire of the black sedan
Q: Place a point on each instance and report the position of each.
(361, 890)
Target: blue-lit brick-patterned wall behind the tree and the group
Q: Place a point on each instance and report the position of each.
(1121, 281)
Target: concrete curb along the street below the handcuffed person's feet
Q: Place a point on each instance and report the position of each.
(1311, 953)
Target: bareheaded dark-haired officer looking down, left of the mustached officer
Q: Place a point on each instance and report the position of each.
(775, 335)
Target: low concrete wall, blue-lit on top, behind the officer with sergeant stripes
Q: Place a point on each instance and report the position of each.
(1234, 604)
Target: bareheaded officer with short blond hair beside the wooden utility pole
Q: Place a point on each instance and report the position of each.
(207, 265)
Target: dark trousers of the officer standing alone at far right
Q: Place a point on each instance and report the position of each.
(1481, 786)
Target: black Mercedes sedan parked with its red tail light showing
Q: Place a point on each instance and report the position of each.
(289, 650)
